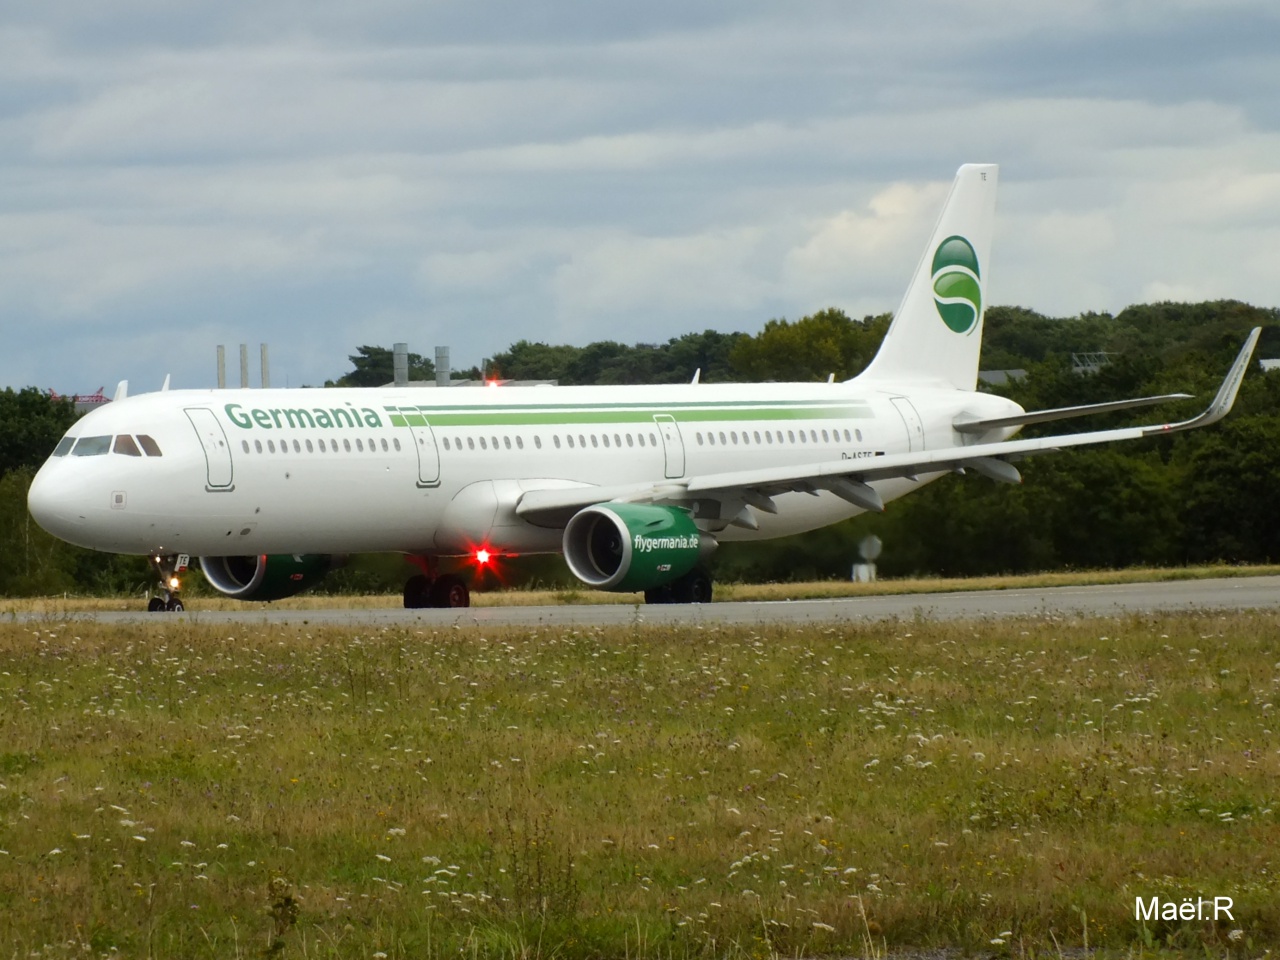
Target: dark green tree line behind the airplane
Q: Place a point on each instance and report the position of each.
(1185, 499)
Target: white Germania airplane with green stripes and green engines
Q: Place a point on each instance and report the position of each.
(634, 486)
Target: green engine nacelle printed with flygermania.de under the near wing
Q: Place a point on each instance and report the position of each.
(628, 547)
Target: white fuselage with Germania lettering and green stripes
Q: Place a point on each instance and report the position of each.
(440, 472)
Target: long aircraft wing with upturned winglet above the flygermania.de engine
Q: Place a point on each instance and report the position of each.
(851, 479)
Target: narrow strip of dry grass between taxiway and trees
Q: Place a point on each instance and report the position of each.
(54, 606)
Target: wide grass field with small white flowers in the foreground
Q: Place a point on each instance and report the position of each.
(1004, 788)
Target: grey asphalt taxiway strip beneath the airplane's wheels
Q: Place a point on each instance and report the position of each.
(1226, 595)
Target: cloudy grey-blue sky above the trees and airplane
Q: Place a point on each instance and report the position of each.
(324, 175)
